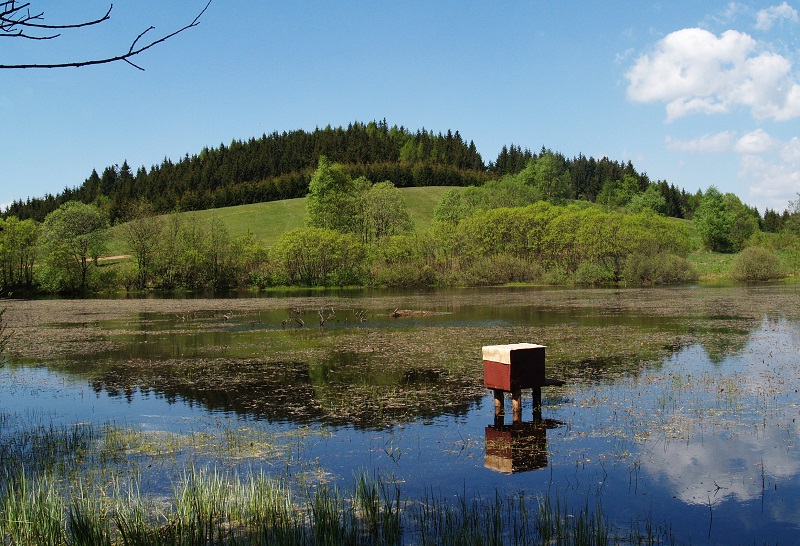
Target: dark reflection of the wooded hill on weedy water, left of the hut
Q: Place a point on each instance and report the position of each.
(343, 389)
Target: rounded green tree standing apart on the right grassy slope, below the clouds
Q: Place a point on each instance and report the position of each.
(723, 222)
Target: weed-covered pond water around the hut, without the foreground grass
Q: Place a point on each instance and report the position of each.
(679, 410)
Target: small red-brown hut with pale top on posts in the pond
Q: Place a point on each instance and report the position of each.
(511, 368)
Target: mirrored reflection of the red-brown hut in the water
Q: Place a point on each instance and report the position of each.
(518, 447)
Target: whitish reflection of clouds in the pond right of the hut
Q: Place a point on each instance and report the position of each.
(739, 441)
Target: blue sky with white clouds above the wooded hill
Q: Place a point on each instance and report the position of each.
(695, 93)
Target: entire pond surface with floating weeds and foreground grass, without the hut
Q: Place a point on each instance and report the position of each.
(677, 422)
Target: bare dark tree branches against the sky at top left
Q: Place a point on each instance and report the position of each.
(15, 19)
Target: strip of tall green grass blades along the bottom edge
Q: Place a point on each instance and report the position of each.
(213, 508)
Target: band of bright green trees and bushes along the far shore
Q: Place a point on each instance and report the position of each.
(522, 227)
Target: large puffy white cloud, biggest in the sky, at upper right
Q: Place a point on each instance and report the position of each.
(694, 71)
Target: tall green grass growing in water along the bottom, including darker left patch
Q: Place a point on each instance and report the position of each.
(52, 503)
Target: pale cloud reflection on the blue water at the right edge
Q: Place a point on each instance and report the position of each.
(758, 445)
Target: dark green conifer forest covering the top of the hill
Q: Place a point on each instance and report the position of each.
(279, 166)
